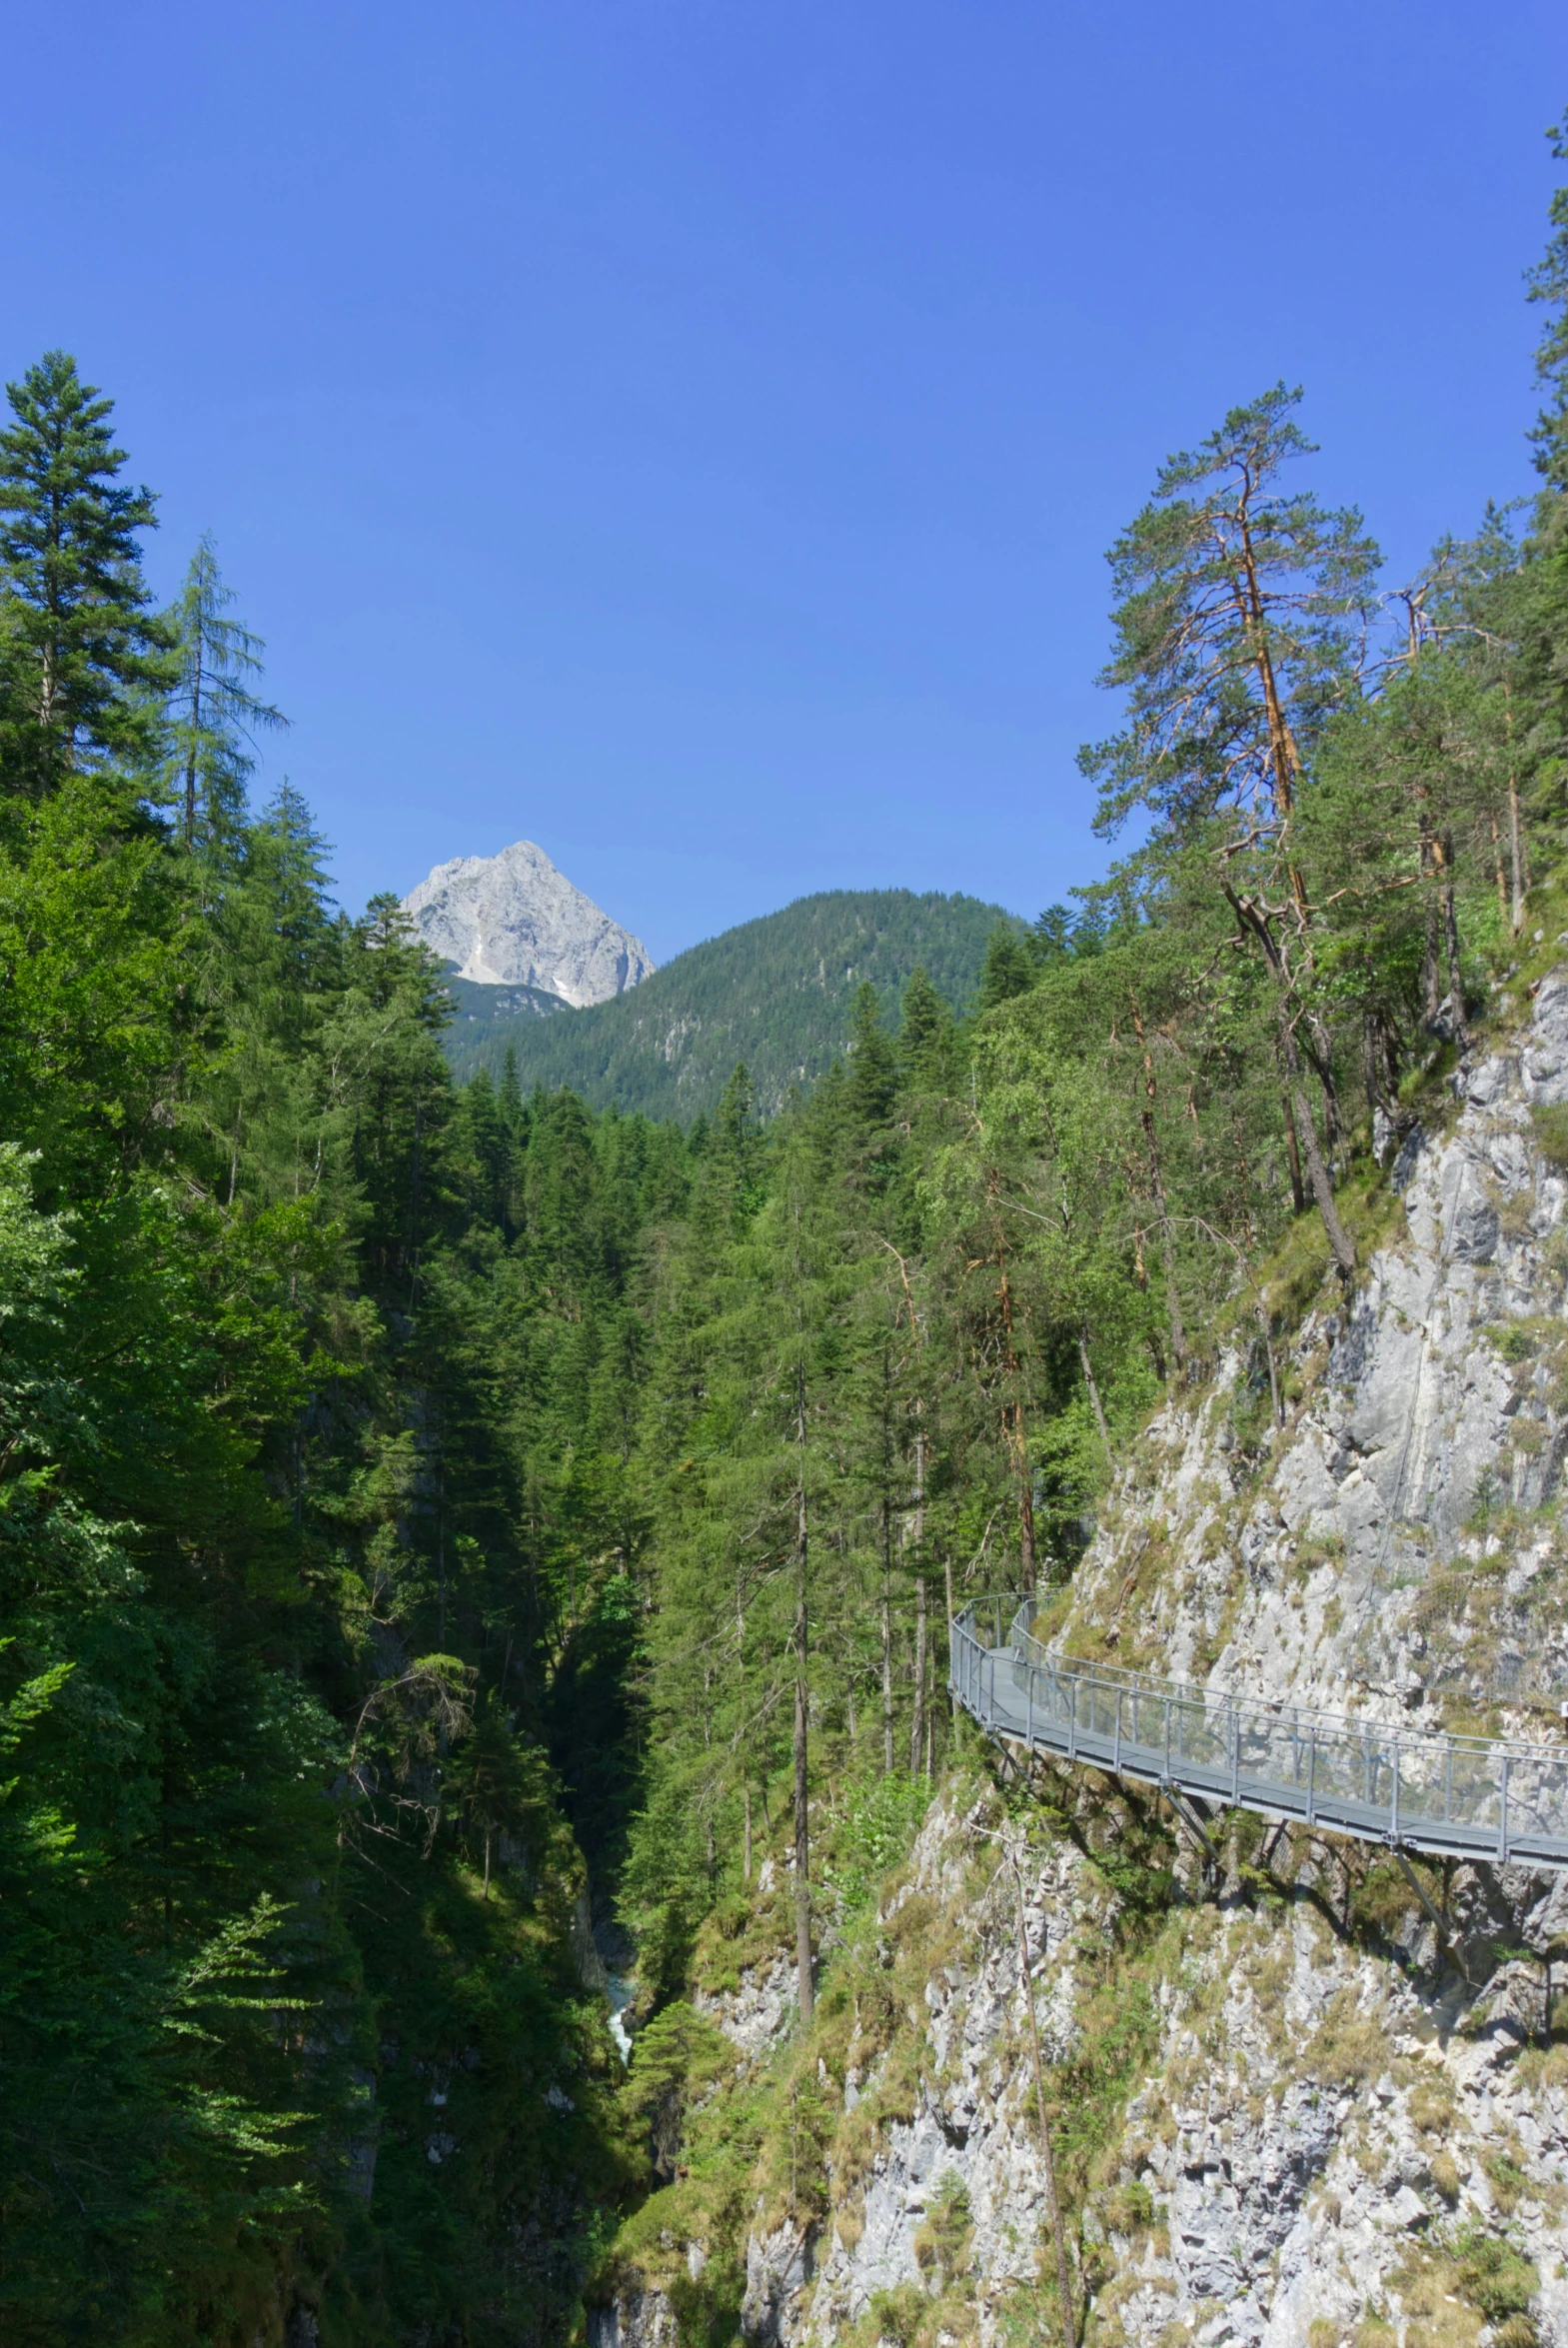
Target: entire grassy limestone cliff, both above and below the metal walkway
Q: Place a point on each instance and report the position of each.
(1290, 2114)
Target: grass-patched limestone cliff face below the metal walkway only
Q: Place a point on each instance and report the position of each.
(1302, 2133)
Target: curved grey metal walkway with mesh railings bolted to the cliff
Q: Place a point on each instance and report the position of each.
(1466, 1797)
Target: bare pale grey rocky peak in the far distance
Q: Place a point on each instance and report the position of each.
(518, 922)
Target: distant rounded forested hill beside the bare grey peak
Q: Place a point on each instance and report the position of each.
(773, 994)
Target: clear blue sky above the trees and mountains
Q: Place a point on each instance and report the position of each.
(687, 433)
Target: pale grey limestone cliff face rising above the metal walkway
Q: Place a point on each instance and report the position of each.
(1395, 1546)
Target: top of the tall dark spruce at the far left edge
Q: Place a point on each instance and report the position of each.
(86, 656)
